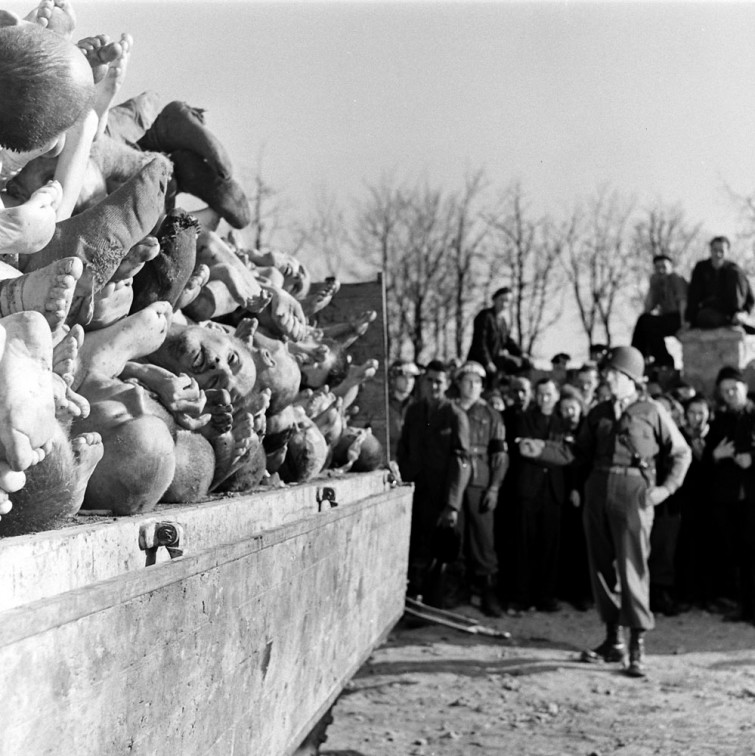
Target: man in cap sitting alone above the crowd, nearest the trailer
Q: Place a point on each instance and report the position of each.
(492, 345)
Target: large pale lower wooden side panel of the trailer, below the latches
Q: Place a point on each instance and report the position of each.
(238, 649)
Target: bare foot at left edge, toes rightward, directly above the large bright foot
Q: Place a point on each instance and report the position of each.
(48, 291)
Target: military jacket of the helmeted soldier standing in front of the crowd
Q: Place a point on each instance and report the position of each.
(643, 436)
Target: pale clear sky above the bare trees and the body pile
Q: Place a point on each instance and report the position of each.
(654, 99)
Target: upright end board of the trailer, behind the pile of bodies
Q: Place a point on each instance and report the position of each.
(351, 300)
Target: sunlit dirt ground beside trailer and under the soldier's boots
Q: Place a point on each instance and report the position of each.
(433, 691)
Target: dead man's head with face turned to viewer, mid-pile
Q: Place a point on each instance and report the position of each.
(214, 358)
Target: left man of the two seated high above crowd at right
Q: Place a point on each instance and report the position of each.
(665, 304)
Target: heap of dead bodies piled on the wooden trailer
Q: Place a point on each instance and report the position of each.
(143, 356)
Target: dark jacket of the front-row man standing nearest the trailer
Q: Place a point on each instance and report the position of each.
(433, 451)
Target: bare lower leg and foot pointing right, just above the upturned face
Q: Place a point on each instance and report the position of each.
(108, 350)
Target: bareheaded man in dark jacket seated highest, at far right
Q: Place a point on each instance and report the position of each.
(719, 292)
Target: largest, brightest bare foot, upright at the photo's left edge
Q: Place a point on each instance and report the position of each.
(27, 403)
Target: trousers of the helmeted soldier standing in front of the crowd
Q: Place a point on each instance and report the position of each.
(618, 522)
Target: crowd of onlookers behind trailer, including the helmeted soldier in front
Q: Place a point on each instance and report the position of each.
(592, 486)
